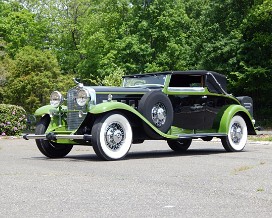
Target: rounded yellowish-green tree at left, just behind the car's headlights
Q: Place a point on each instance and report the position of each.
(35, 74)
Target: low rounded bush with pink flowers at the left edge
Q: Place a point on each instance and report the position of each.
(12, 120)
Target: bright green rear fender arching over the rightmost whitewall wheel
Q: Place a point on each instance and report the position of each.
(223, 119)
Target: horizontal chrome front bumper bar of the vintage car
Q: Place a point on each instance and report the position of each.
(53, 137)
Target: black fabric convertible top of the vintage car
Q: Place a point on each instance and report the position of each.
(214, 81)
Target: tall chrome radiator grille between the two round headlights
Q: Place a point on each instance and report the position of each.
(73, 118)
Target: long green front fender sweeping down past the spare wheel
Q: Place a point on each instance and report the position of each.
(109, 106)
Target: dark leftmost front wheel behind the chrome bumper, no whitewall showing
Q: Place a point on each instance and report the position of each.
(49, 148)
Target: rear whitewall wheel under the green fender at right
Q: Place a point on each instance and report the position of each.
(237, 135)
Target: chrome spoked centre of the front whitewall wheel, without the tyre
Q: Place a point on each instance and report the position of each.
(114, 136)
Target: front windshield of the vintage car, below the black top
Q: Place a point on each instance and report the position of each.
(144, 80)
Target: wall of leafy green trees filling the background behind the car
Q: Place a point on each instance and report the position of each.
(43, 43)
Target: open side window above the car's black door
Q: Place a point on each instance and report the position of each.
(186, 81)
